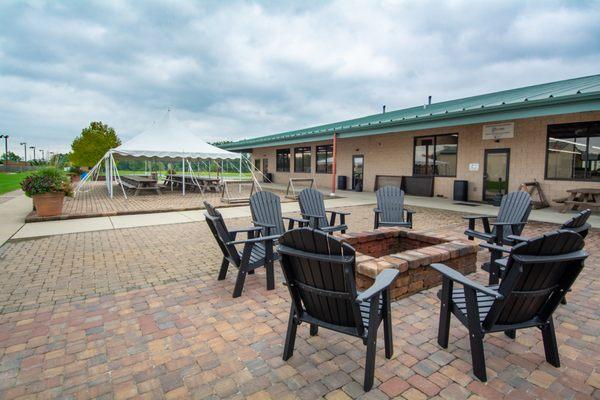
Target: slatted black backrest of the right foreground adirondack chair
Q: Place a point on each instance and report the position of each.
(532, 290)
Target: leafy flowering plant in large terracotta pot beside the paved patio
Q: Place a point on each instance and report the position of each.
(48, 188)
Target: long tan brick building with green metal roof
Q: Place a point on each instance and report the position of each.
(549, 133)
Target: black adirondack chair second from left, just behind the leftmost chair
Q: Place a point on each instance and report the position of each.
(266, 213)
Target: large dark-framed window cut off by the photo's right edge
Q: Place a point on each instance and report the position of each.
(573, 151)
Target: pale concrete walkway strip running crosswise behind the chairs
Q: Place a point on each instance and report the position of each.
(347, 199)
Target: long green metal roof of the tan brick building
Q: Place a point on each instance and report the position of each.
(571, 95)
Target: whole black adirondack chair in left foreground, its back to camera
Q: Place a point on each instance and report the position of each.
(319, 273)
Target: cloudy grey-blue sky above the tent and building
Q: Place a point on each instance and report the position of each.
(237, 69)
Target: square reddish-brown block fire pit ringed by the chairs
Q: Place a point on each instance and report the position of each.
(410, 252)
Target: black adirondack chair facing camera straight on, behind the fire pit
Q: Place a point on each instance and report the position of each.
(390, 209)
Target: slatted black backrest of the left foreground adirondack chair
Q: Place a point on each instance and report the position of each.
(325, 289)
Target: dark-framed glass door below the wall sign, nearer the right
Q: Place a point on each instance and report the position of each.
(495, 173)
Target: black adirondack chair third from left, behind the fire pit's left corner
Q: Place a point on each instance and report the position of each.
(312, 208)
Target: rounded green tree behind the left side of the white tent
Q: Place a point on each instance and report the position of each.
(94, 141)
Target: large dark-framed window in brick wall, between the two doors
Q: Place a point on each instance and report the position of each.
(435, 155)
